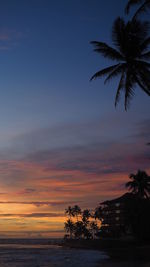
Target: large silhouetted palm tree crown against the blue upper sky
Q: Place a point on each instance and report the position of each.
(131, 53)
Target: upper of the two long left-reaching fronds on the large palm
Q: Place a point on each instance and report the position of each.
(107, 51)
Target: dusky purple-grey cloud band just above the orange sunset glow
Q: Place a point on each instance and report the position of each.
(99, 158)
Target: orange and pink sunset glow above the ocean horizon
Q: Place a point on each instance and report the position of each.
(39, 209)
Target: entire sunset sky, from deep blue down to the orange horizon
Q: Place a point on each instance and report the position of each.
(62, 142)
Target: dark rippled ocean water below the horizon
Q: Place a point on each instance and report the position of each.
(46, 255)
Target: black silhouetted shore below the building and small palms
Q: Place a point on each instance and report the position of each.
(119, 251)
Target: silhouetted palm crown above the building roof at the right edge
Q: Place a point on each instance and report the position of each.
(139, 184)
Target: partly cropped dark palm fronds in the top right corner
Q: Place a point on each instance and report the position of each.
(144, 5)
